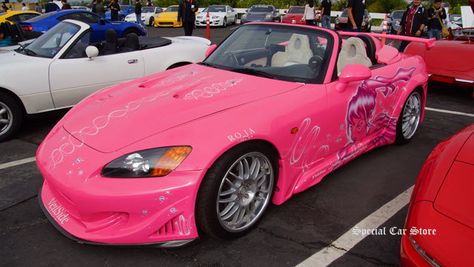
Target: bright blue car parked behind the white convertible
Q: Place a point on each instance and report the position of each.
(34, 27)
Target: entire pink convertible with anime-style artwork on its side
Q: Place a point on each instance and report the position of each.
(208, 146)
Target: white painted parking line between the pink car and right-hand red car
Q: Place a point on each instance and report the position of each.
(351, 238)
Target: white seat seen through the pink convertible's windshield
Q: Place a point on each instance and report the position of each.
(297, 51)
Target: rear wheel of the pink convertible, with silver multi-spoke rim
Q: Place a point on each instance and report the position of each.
(410, 117)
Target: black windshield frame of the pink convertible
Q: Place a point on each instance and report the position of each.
(316, 80)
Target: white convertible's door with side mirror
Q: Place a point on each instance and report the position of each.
(73, 76)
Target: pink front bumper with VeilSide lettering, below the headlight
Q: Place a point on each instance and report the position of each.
(93, 209)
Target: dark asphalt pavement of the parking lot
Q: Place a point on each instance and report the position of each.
(287, 235)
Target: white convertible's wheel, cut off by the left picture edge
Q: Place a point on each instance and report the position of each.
(11, 117)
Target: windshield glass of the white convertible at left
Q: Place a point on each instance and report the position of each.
(51, 42)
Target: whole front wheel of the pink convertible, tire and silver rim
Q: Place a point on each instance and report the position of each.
(236, 191)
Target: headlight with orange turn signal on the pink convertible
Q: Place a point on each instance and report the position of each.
(157, 162)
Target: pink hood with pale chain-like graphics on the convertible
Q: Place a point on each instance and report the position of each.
(118, 116)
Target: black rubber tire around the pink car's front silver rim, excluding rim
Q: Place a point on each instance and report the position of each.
(206, 213)
